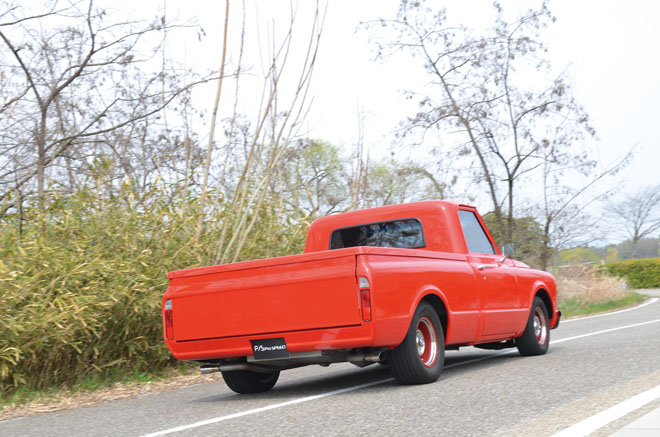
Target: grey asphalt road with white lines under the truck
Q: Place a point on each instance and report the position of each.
(593, 364)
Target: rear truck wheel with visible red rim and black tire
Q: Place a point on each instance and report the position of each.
(414, 363)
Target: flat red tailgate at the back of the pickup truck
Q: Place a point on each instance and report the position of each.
(303, 295)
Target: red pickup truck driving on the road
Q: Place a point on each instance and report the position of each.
(396, 284)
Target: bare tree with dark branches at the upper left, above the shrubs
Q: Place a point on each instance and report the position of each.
(74, 83)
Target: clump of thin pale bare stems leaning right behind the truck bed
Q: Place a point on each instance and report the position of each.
(277, 124)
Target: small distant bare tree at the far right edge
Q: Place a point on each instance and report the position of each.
(637, 216)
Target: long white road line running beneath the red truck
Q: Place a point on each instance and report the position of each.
(369, 384)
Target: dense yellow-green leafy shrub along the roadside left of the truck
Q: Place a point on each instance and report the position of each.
(81, 289)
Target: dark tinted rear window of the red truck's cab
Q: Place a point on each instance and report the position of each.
(404, 233)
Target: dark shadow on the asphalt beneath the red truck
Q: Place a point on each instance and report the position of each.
(302, 384)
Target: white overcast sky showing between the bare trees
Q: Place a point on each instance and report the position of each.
(610, 49)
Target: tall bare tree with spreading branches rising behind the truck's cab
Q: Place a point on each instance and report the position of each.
(491, 96)
